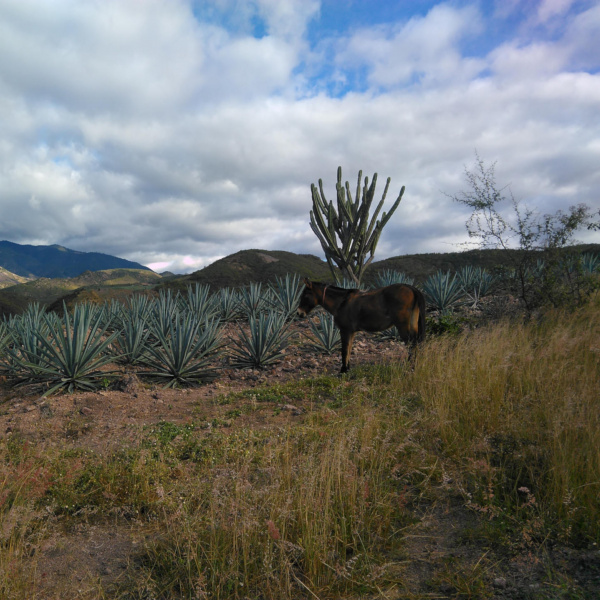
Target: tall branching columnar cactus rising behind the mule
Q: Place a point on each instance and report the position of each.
(349, 234)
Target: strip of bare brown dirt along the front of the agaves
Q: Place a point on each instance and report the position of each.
(111, 416)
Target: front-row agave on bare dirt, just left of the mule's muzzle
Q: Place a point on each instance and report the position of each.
(262, 345)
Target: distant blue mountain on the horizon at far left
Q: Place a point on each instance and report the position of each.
(57, 261)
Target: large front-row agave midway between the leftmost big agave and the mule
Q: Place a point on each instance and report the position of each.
(182, 354)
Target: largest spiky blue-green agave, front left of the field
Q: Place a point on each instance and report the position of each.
(69, 353)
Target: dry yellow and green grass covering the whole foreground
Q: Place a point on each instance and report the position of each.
(496, 428)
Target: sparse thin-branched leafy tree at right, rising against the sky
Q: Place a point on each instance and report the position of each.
(542, 269)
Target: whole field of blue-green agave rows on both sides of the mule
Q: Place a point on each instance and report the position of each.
(175, 338)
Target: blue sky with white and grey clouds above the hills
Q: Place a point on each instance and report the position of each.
(176, 132)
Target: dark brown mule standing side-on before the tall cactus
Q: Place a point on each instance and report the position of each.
(353, 310)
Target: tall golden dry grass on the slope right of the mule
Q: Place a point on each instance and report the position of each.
(520, 405)
